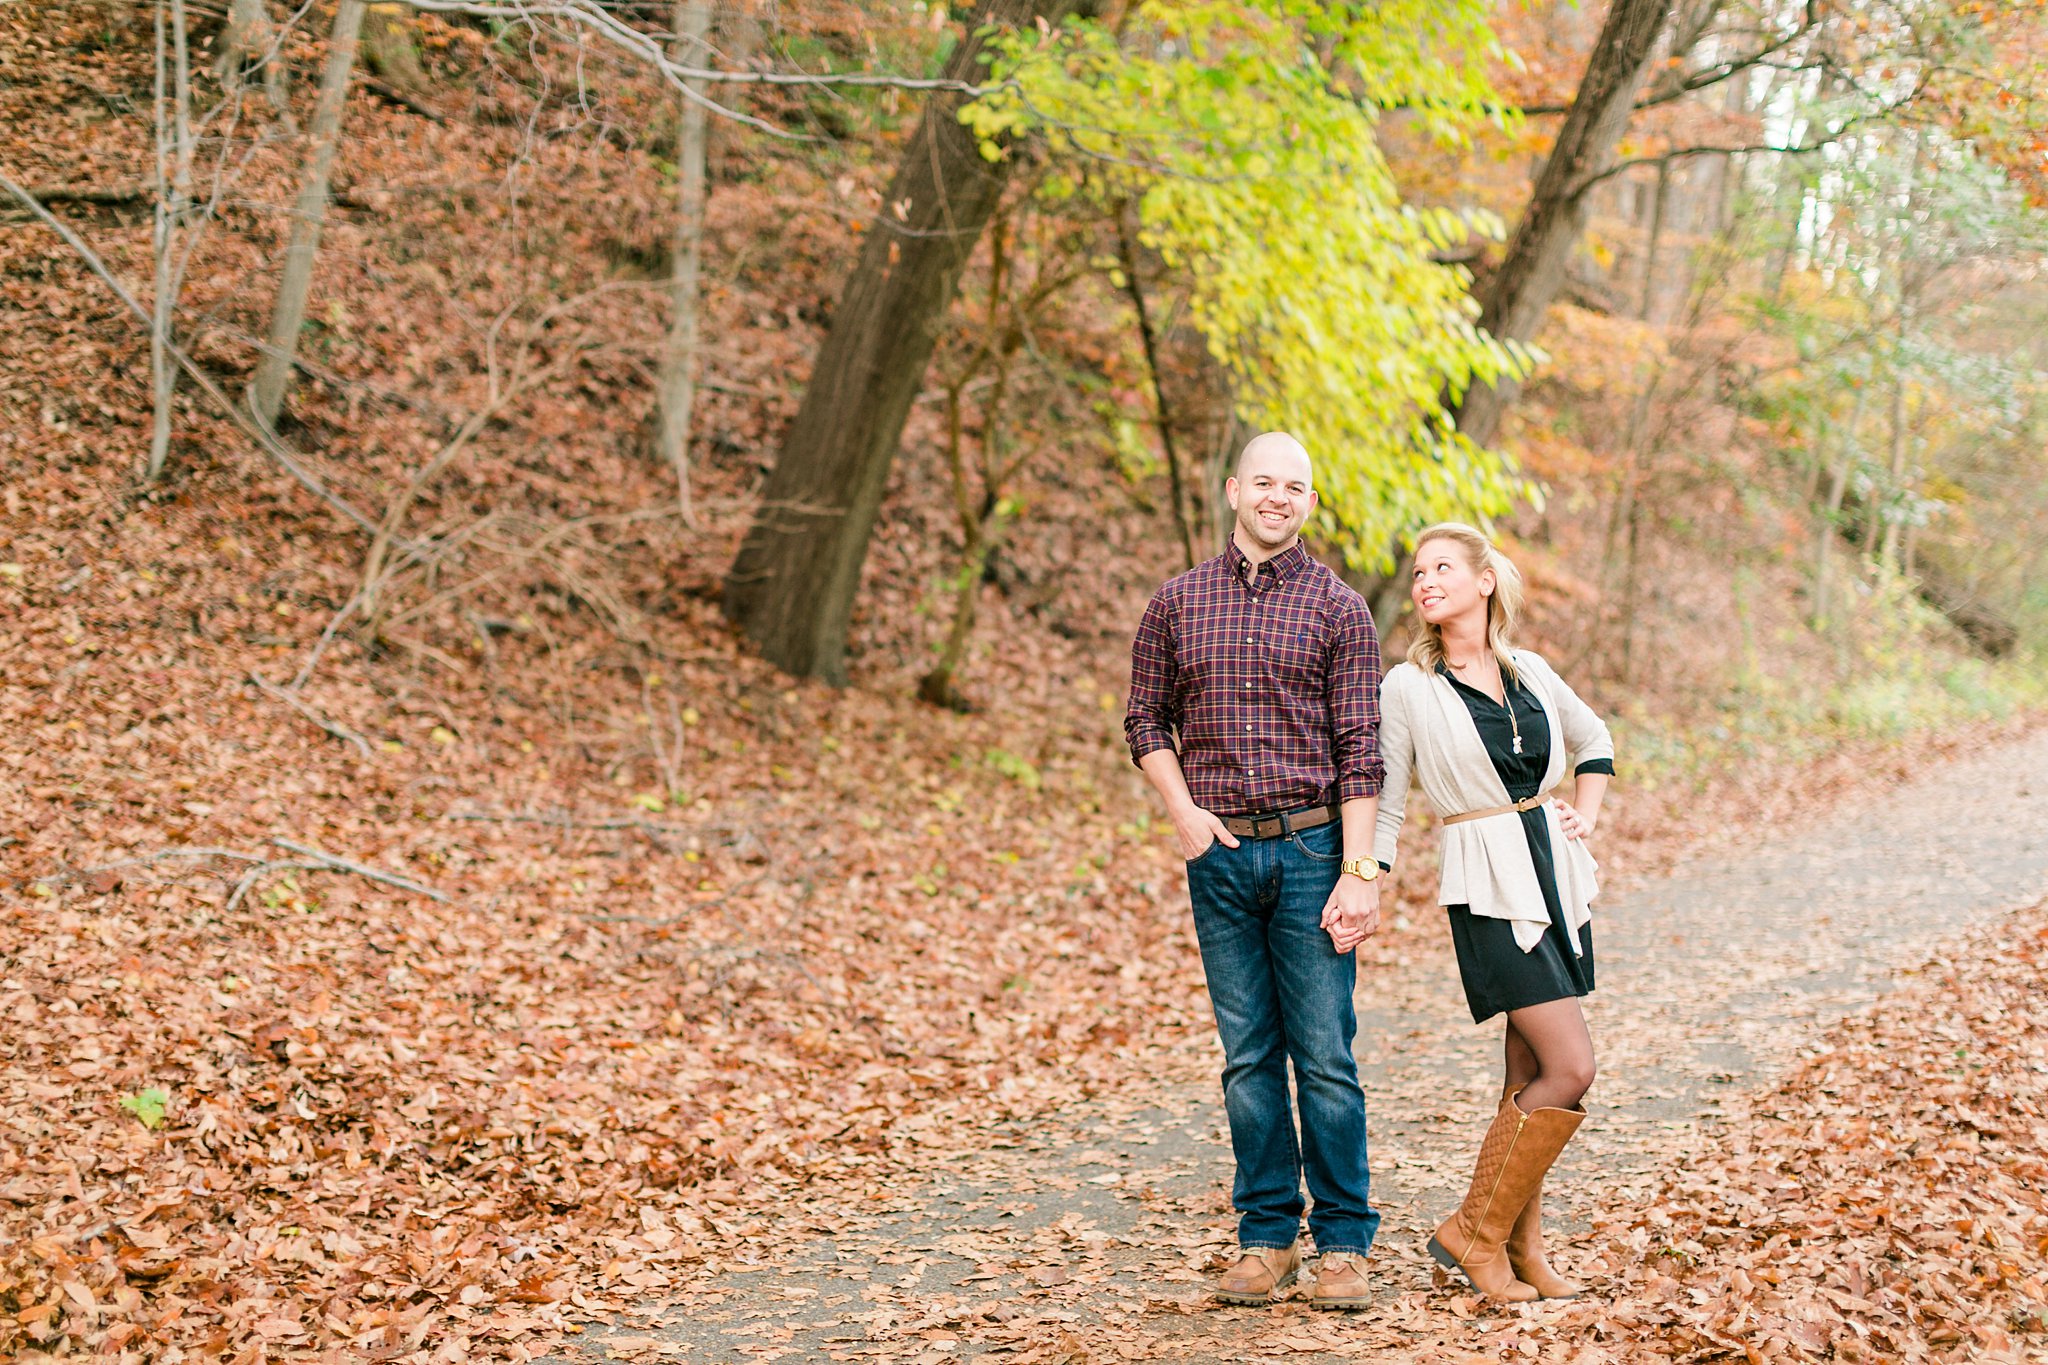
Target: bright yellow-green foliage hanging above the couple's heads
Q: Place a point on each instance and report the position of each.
(1246, 136)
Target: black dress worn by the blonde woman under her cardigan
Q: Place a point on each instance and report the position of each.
(1498, 975)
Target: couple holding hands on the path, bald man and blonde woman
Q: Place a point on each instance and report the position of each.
(1261, 715)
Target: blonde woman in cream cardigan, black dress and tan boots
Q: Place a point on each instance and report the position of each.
(1486, 730)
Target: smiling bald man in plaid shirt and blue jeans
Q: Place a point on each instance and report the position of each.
(1254, 713)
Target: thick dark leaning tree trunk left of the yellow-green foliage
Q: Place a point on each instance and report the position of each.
(800, 568)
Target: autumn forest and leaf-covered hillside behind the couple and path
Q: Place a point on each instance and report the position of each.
(570, 564)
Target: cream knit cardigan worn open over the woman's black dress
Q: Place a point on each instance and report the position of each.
(1428, 736)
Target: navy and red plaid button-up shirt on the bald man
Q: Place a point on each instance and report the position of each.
(1271, 685)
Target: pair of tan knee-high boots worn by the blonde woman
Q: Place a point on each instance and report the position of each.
(1512, 1163)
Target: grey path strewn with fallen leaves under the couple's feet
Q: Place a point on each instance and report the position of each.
(1711, 985)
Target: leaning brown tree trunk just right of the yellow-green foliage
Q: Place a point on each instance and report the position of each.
(1521, 292)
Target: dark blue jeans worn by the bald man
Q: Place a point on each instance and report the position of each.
(1285, 996)
